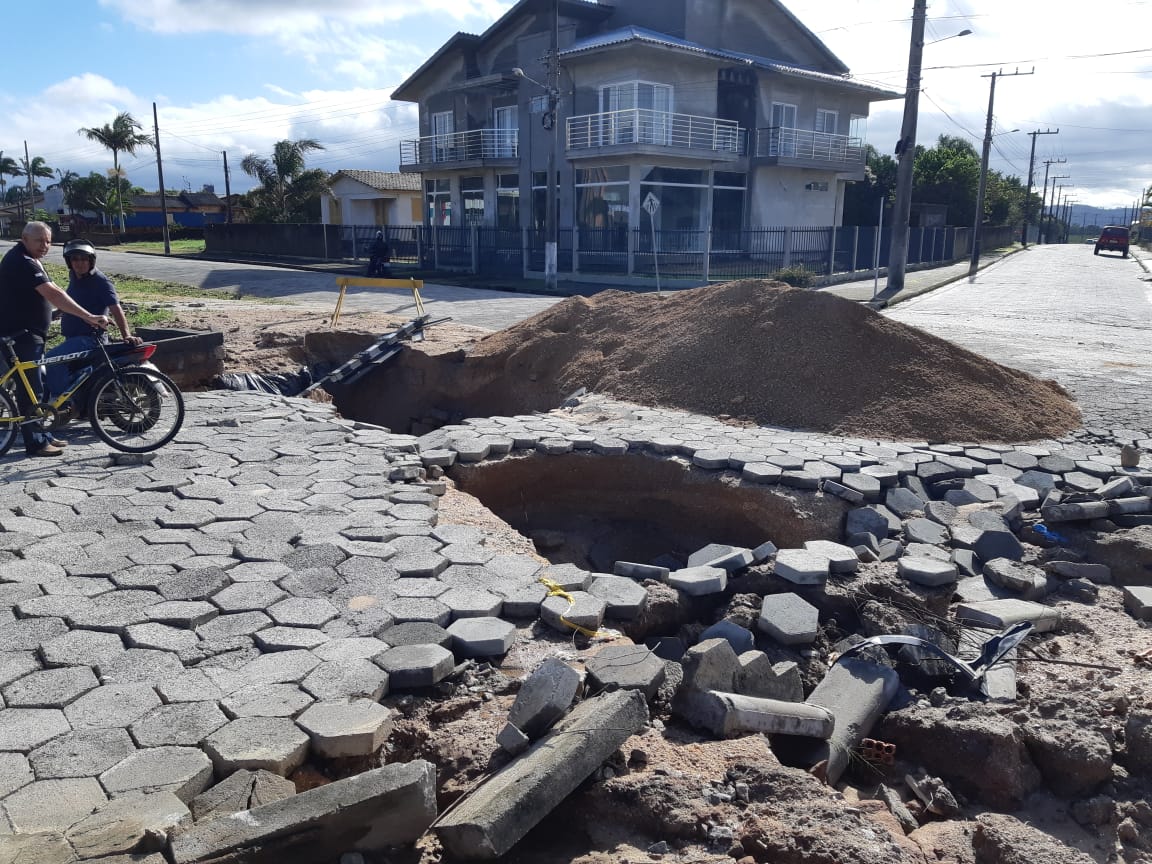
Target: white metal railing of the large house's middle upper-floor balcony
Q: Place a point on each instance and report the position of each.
(656, 128)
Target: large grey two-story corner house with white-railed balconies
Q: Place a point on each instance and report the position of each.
(732, 112)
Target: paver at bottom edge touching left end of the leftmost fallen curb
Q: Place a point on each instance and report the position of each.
(127, 825)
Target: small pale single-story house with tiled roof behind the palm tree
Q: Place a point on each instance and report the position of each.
(373, 198)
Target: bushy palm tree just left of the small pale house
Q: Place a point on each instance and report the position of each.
(289, 193)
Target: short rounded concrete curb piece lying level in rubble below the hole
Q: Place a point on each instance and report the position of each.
(732, 715)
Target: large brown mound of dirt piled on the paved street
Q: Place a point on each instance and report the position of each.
(776, 355)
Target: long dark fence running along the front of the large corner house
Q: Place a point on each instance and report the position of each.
(698, 255)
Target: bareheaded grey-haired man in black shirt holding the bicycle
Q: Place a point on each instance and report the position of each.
(27, 297)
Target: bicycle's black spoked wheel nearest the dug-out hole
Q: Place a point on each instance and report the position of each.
(138, 411)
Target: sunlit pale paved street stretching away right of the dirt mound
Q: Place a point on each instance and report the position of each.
(1059, 313)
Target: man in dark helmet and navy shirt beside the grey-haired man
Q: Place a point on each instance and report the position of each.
(96, 293)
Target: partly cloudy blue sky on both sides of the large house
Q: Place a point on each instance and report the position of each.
(238, 75)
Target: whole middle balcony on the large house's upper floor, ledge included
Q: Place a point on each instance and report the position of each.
(657, 133)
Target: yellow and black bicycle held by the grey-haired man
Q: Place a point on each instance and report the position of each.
(132, 408)
